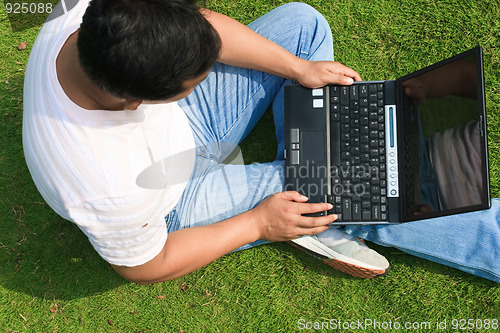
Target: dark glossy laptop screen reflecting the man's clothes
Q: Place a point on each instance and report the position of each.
(445, 167)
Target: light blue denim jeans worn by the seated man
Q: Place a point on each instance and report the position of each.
(225, 107)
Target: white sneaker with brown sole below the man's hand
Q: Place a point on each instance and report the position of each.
(347, 254)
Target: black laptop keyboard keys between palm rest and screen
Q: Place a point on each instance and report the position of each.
(358, 153)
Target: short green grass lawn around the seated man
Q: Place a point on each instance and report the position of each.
(52, 280)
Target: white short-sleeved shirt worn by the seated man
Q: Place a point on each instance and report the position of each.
(116, 174)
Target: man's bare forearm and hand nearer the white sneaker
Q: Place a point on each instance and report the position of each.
(277, 218)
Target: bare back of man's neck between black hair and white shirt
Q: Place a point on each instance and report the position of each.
(77, 85)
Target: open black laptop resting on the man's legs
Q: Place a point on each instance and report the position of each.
(394, 151)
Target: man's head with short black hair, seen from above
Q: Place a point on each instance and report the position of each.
(145, 49)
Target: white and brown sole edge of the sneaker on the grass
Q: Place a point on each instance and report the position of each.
(342, 263)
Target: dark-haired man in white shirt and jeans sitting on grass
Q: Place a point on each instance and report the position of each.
(127, 124)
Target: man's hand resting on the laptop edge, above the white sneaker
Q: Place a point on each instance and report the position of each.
(279, 217)
